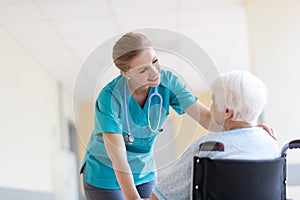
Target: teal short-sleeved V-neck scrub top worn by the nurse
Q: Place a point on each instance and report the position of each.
(110, 117)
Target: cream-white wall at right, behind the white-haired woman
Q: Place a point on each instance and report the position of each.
(274, 29)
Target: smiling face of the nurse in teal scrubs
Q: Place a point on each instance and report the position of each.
(144, 69)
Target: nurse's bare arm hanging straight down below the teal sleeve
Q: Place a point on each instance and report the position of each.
(115, 147)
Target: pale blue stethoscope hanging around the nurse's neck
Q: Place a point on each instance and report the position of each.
(129, 138)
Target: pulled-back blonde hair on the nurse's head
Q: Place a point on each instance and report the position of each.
(127, 47)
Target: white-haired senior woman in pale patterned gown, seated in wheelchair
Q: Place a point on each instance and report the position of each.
(238, 99)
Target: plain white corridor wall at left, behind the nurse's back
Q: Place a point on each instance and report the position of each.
(31, 133)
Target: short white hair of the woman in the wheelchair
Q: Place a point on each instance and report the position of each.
(242, 92)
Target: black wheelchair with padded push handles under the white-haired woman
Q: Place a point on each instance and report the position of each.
(239, 179)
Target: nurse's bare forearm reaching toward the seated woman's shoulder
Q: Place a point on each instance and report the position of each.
(200, 113)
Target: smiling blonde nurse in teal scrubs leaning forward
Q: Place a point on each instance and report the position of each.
(129, 114)
